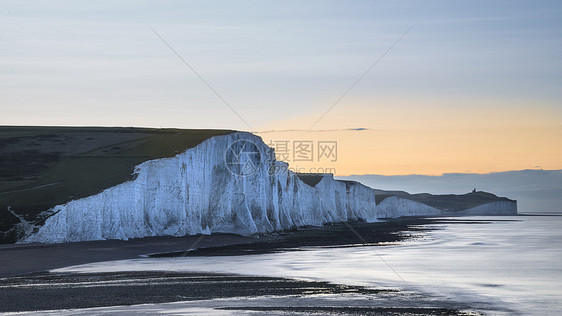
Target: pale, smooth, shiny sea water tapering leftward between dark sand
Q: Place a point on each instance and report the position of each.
(507, 264)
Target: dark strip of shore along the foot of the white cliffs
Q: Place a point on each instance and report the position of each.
(18, 259)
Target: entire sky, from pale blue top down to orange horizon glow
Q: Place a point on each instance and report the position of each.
(434, 86)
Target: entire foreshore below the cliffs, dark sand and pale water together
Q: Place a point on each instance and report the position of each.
(499, 265)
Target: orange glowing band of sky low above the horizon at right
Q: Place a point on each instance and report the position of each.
(431, 139)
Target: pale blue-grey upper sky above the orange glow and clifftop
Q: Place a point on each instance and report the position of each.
(98, 63)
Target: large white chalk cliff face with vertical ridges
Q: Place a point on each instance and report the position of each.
(202, 191)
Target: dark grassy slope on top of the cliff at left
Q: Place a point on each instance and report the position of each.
(41, 167)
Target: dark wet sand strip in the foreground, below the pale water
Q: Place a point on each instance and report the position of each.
(218, 292)
